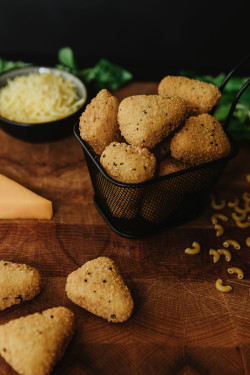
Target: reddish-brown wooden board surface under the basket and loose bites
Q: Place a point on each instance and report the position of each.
(181, 324)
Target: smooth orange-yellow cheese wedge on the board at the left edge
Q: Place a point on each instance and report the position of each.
(17, 202)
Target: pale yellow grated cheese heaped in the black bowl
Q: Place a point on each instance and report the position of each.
(39, 98)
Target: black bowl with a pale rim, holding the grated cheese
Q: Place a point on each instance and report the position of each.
(46, 131)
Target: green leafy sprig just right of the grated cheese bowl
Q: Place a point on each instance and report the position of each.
(103, 75)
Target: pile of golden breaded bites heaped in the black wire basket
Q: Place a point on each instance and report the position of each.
(149, 135)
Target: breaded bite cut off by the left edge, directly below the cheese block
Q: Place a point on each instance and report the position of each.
(18, 283)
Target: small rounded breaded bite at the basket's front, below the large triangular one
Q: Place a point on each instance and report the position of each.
(129, 164)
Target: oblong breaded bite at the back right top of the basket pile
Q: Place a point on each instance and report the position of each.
(201, 97)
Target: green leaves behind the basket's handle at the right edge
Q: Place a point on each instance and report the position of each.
(240, 123)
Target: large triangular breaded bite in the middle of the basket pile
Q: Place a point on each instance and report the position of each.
(146, 120)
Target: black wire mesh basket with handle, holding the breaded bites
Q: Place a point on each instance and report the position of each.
(137, 210)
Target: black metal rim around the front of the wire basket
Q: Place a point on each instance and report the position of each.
(88, 150)
